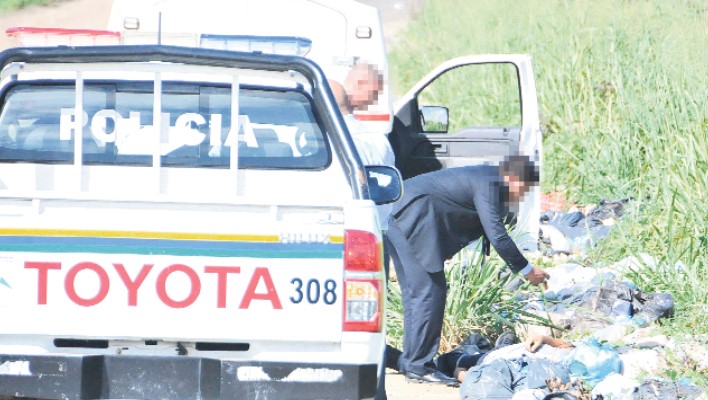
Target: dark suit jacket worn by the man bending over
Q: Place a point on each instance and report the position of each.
(443, 211)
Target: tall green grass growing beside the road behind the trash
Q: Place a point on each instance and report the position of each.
(623, 98)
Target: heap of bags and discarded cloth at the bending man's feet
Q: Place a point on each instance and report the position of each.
(617, 353)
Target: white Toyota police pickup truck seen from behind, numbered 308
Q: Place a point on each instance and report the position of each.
(184, 223)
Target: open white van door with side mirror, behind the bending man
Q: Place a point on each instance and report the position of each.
(468, 111)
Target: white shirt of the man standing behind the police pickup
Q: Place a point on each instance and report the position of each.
(373, 149)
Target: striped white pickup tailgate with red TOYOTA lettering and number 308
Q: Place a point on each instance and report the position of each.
(206, 287)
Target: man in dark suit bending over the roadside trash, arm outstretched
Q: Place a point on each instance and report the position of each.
(440, 213)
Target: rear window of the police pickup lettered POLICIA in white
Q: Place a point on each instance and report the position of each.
(276, 127)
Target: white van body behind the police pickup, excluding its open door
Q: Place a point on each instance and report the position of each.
(334, 33)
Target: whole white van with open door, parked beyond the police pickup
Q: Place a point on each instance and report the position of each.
(490, 110)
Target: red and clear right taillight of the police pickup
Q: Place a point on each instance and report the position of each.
(363, 282)
